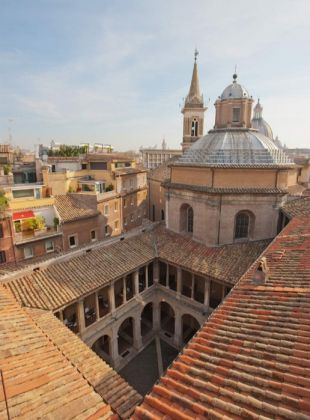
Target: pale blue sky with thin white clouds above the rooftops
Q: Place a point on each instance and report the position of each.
(116, 72)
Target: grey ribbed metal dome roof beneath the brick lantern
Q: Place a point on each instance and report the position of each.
(234, 147)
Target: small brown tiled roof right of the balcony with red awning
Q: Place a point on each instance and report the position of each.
(76, 206)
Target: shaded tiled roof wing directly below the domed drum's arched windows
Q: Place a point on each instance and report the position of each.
(226, 263)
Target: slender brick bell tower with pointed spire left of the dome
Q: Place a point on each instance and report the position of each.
(193, 111)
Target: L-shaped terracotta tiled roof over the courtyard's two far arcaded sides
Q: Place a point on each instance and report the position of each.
(61, 283)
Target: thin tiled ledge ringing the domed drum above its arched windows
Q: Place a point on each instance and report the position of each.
(224, 190)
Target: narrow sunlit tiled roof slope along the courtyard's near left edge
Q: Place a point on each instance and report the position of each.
(106, 382)
